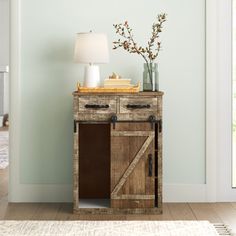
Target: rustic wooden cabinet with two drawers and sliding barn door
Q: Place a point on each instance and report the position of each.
(117, 153)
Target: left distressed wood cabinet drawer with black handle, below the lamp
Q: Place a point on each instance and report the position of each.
(96, 104)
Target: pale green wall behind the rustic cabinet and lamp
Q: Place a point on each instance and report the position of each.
(48, 77)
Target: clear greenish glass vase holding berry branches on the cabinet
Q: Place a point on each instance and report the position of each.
(150, 77)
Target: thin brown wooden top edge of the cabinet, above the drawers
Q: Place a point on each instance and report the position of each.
(158, 93)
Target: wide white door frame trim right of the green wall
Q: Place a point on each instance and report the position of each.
(219, 101)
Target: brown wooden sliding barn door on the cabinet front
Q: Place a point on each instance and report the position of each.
(138, 185)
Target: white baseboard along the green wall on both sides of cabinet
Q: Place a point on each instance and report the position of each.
(63, 193)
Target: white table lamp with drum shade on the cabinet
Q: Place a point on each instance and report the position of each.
(91, 49)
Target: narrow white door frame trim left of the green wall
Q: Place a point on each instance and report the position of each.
(14, 187)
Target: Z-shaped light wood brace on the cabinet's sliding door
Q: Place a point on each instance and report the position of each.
(150, 136)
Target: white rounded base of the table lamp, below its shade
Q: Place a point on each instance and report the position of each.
(91, 76)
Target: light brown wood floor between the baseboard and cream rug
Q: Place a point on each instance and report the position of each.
(213, 212)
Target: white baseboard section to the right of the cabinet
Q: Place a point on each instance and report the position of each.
(184, 193)
